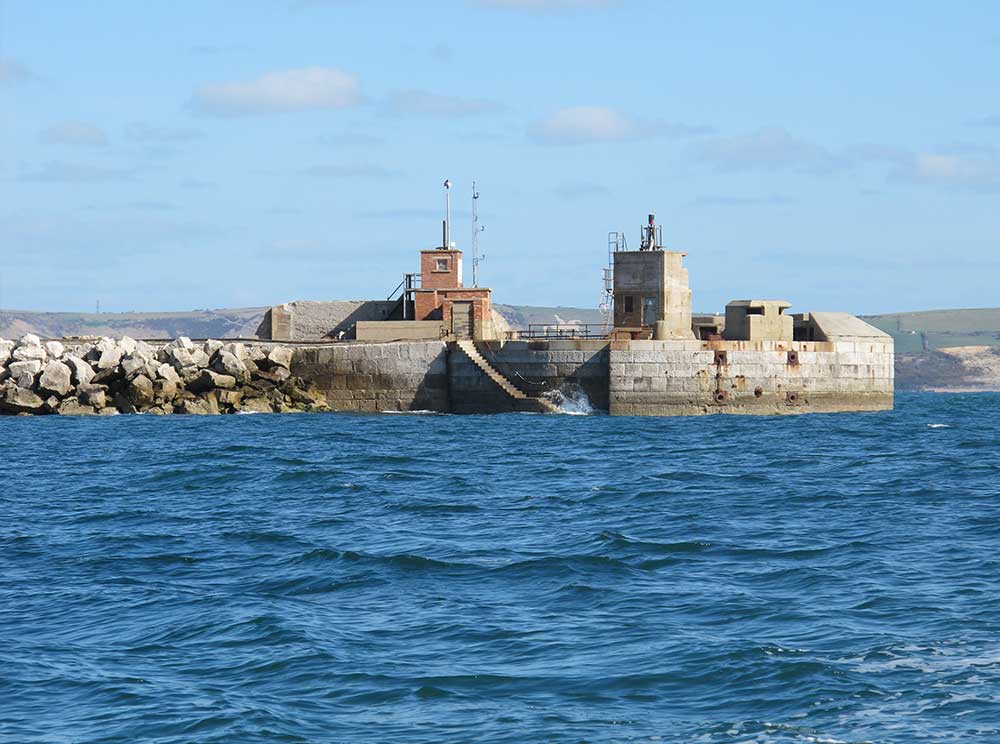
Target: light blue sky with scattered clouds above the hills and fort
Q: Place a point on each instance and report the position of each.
(208, 154)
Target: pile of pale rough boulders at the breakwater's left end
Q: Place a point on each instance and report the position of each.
(107, 377)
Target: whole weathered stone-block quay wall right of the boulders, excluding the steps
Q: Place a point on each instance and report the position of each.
(651, 378)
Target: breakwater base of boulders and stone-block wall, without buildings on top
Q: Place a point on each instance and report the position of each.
(678, 377)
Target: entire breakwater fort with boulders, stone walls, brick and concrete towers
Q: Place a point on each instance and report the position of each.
(438, 345)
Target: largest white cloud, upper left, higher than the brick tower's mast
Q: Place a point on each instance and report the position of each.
(305, 89)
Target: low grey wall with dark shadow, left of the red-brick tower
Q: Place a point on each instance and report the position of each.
(321, 321)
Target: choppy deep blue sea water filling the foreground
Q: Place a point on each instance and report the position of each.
(514, 578)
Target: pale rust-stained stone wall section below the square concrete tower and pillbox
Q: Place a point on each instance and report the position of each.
(656, 378)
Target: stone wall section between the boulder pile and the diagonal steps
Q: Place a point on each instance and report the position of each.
(403, 376)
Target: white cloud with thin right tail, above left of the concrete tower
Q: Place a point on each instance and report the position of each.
(585, 124)
